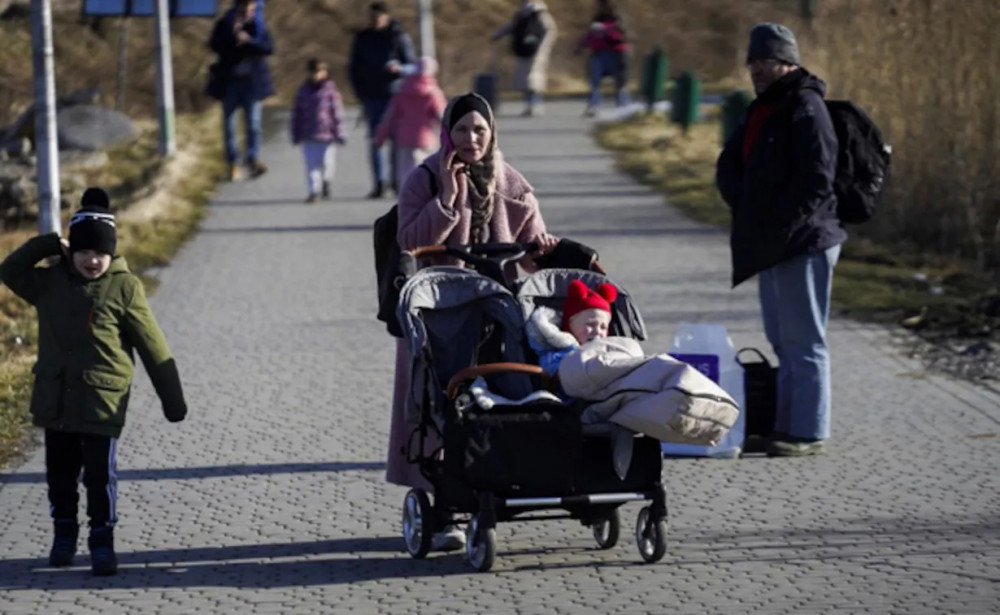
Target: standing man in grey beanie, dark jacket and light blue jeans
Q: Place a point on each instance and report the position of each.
(776, 173)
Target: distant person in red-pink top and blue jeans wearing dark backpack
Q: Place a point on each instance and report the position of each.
(608, 54)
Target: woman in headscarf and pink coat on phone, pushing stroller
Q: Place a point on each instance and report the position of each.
(474, 197)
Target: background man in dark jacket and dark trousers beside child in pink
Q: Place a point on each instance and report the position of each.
(378, 54)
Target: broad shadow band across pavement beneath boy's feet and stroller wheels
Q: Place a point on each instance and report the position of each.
(903, 543)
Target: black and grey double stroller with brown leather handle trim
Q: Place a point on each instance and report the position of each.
(516, 460)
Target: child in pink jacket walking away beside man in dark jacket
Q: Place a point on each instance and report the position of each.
(414, 118)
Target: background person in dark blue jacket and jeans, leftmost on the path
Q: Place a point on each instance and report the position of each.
(241, 79)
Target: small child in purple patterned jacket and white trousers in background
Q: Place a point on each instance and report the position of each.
(317, 124)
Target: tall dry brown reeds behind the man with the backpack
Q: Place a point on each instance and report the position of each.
(929, 73)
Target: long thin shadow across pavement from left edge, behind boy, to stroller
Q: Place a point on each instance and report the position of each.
(216, 471)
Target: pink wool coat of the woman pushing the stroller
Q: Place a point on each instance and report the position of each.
(423, 221)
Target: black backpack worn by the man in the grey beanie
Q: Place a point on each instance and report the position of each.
(862, 162)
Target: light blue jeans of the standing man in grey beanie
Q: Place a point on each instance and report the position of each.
(795, 304)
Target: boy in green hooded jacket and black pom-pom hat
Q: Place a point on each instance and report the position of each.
(92, 313)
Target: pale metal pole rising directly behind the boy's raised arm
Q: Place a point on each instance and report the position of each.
(46, 139)
